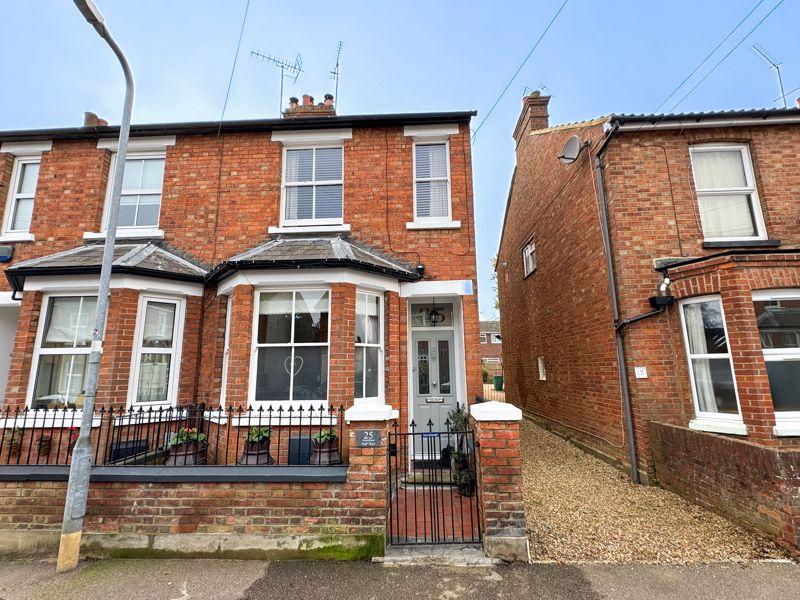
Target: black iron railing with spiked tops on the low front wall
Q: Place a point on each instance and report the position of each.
(191, 435)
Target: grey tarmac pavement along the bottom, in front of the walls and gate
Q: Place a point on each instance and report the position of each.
(254, 580)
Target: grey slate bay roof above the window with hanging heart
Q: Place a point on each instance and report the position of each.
(315, 251)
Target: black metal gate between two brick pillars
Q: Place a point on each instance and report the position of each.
(433, 487)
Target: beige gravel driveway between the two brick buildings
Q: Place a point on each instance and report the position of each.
(579, 509)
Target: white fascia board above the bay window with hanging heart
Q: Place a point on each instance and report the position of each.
(307, 277)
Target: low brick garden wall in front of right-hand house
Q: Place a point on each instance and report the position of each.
(749, 483)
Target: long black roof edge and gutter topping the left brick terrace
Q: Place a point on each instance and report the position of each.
(206, 127)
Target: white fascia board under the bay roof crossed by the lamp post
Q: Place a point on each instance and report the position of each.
(89, 283)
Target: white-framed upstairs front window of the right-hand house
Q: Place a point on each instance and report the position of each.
(726, 193)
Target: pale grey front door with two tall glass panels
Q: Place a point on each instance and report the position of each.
(433, 373)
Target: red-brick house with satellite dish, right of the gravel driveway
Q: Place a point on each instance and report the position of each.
(699, 208)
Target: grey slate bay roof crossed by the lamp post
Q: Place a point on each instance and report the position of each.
(148, 258)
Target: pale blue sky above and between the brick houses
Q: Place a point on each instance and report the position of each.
(599, 57)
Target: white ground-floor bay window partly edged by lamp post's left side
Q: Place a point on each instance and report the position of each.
(63, 352)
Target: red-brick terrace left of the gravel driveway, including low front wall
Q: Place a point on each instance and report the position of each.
(264, 270)
